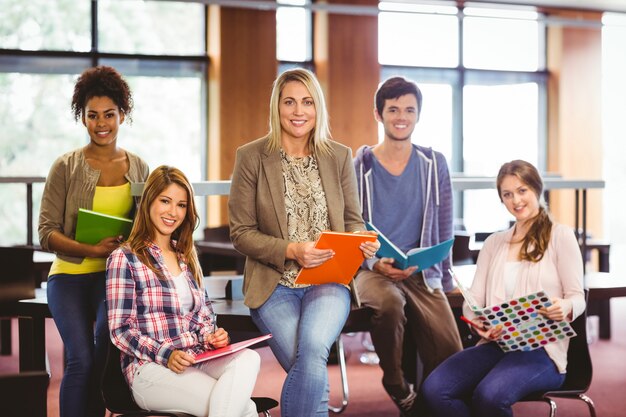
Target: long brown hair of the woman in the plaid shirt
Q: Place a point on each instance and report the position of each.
(144, 231)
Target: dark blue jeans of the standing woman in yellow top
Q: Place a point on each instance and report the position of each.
(76, 302)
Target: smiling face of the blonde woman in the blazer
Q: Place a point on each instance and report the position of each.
(297, 112)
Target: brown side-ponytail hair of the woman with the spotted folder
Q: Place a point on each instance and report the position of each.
(537, 239)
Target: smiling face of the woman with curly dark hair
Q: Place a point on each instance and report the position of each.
(102, 118)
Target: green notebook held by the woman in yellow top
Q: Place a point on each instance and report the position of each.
(92, 227)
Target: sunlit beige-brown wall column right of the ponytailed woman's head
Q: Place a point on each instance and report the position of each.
(574, 115)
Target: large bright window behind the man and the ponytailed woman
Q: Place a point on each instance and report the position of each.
(484, 101)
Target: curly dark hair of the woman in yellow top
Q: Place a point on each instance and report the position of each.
(101, 81)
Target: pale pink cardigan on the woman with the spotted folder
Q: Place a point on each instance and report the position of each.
(559, 273)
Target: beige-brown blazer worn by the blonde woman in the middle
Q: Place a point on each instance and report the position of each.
(258, 217)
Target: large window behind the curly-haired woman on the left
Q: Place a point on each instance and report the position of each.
(46, 44)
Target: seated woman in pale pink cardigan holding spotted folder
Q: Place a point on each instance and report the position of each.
(534, 255)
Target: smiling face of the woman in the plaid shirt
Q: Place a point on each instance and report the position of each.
(168, 211)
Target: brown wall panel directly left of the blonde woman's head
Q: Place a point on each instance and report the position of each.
(242, 48)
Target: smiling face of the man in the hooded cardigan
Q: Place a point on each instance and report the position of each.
(399, 117)
